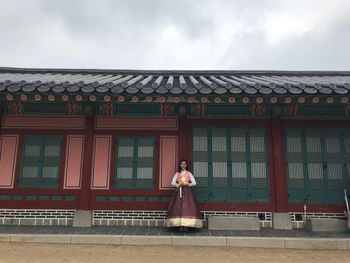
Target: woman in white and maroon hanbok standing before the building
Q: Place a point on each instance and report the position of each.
(182, 210)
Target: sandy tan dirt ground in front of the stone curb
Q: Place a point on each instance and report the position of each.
(40, 252)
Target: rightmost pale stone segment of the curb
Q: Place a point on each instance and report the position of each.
(316, 243)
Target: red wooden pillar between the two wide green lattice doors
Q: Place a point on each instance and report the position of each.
(280, 190)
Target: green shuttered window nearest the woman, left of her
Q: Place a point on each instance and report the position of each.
(135, 162)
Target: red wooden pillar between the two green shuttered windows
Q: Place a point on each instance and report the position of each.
(87, 164)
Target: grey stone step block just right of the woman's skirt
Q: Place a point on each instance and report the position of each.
(233, 223)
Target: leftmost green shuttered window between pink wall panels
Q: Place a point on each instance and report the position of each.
(40, 161)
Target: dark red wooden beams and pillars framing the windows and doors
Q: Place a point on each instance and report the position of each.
(86, 197)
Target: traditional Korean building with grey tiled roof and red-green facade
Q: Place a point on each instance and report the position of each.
(108, 142)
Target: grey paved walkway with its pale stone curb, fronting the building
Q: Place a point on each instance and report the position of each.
(265, 238)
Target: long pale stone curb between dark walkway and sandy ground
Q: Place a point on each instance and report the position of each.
(210, 241)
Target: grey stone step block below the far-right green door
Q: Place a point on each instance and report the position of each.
(326, 225)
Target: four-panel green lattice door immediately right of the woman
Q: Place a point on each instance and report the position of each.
(230, 164)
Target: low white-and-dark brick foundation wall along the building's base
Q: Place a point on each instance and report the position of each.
(61, 217)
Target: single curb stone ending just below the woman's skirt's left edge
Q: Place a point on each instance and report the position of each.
(146, 240)
